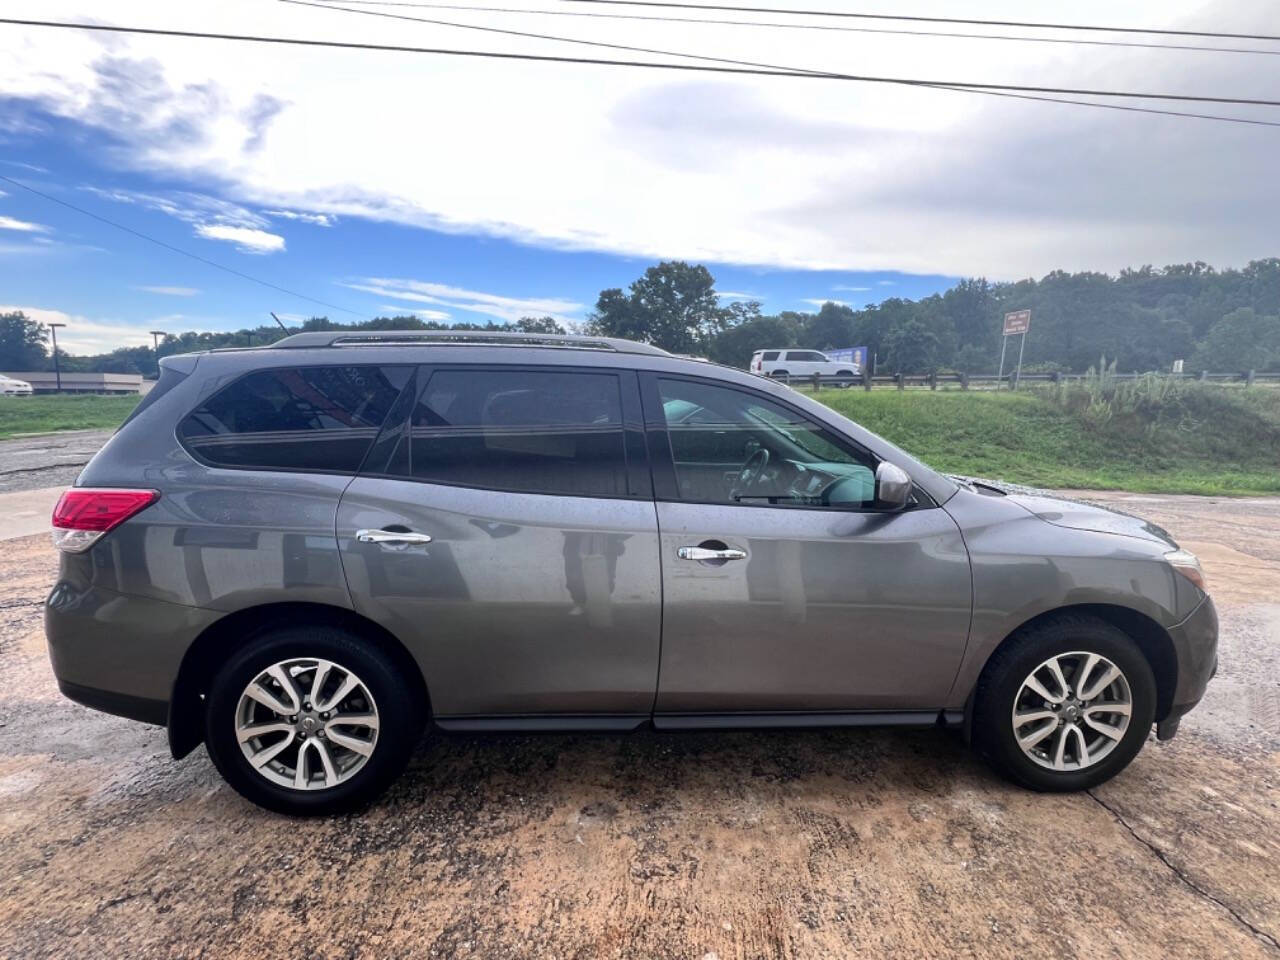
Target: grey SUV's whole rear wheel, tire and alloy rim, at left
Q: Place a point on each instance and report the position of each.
(312, 721)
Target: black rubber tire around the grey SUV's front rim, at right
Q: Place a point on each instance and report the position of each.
(1002, 680)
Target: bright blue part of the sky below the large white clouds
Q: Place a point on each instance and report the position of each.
(84, 268)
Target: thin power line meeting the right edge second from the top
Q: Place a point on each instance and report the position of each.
(822, 28)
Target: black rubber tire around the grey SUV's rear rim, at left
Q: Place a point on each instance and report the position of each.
(399, 706)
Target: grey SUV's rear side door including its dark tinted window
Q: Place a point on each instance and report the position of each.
(506, 532)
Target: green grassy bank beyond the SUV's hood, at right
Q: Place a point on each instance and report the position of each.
(1210, 441)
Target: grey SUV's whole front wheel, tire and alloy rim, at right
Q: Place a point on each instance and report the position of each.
(1066, 705)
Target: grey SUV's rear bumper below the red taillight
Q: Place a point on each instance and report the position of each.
(117, 653)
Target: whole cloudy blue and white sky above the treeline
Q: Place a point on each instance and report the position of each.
(473, 190)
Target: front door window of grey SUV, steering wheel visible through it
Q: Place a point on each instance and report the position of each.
(733, 446)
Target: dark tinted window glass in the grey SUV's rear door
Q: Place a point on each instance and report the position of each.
(525, 431)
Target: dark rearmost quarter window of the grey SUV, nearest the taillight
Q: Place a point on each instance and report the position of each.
(319, 419)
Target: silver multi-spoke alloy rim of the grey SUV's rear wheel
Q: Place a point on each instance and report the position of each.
(307, 724)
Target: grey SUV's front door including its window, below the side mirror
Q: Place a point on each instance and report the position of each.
(784, 588)
